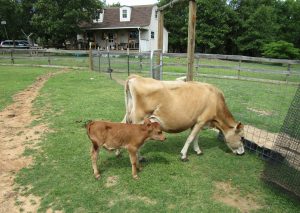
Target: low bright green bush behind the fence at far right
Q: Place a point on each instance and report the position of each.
(281, 49)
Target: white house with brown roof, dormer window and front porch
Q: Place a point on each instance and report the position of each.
(118, 28)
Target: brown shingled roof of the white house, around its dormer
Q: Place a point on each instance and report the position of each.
(140, 17)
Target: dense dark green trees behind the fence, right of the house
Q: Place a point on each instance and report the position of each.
(236, 26)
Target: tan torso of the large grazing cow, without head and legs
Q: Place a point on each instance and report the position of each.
(176, 105)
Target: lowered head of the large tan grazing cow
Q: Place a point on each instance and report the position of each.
(233, 139)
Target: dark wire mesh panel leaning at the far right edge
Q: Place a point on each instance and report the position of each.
(284, 169)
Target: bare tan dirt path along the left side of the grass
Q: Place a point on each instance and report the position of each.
(15, 136)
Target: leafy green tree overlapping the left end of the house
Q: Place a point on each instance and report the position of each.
(57, 21)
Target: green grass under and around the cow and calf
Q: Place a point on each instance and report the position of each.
(62, 173)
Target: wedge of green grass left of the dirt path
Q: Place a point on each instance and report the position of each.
(15, 79)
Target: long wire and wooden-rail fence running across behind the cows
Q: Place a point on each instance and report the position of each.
(258, 91)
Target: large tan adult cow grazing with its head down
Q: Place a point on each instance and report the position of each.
(178, 106)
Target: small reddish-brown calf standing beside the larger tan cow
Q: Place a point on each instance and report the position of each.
(120, 135)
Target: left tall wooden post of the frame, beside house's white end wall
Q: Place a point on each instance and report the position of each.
(160, 41)
